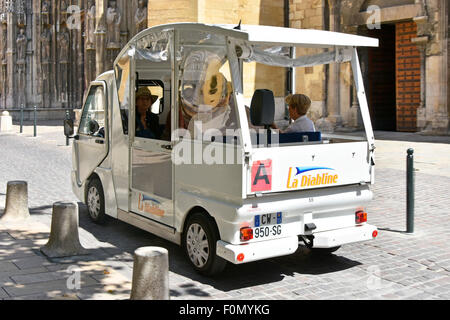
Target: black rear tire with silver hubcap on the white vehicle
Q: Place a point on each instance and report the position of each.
(203, 259)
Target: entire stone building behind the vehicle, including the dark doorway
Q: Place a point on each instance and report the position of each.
(52, 49)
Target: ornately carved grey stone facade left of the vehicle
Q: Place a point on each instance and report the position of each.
(52, 49)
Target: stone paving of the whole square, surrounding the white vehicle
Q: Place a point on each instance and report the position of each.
(394, 266)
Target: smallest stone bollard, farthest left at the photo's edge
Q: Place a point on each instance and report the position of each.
(16, 205)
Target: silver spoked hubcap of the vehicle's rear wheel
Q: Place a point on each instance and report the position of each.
(197, 245)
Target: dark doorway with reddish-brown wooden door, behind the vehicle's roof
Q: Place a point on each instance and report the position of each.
(394, 68)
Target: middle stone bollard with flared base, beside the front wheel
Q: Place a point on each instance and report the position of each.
(64, 240)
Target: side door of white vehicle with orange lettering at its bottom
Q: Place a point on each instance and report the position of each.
(151, 153)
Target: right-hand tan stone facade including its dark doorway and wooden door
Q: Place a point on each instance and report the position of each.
(406, 78)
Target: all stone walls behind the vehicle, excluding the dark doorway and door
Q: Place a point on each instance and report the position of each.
(50, 65)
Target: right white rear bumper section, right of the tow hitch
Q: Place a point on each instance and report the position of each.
(335, 238)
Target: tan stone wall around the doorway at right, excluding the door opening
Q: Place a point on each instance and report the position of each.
(332, 90)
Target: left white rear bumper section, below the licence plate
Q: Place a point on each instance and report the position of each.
(257, 250)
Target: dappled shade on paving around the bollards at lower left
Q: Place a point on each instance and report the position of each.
(37, 277)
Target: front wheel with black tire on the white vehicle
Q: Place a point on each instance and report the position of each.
(95, 201)
